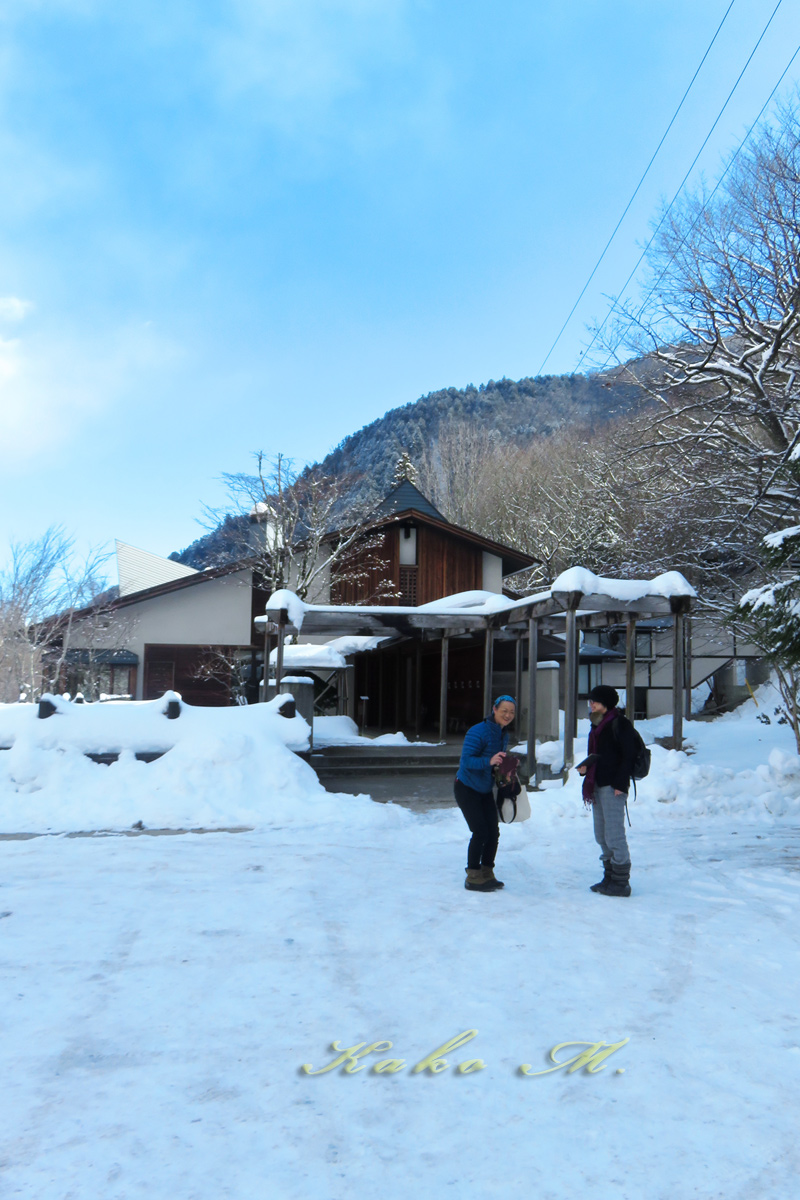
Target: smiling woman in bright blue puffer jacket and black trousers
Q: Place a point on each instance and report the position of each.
(485, 747)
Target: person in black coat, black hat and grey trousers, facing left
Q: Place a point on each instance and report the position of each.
(606, 783)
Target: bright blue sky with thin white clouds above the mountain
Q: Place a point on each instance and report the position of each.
(262, 224)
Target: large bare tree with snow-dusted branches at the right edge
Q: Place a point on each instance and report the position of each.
(718, 340)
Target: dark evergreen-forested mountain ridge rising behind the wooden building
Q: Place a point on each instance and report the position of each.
(509, 412)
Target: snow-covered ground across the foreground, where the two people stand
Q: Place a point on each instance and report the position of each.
(161, 994)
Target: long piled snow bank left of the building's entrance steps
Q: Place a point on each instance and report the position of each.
(222, 767)
